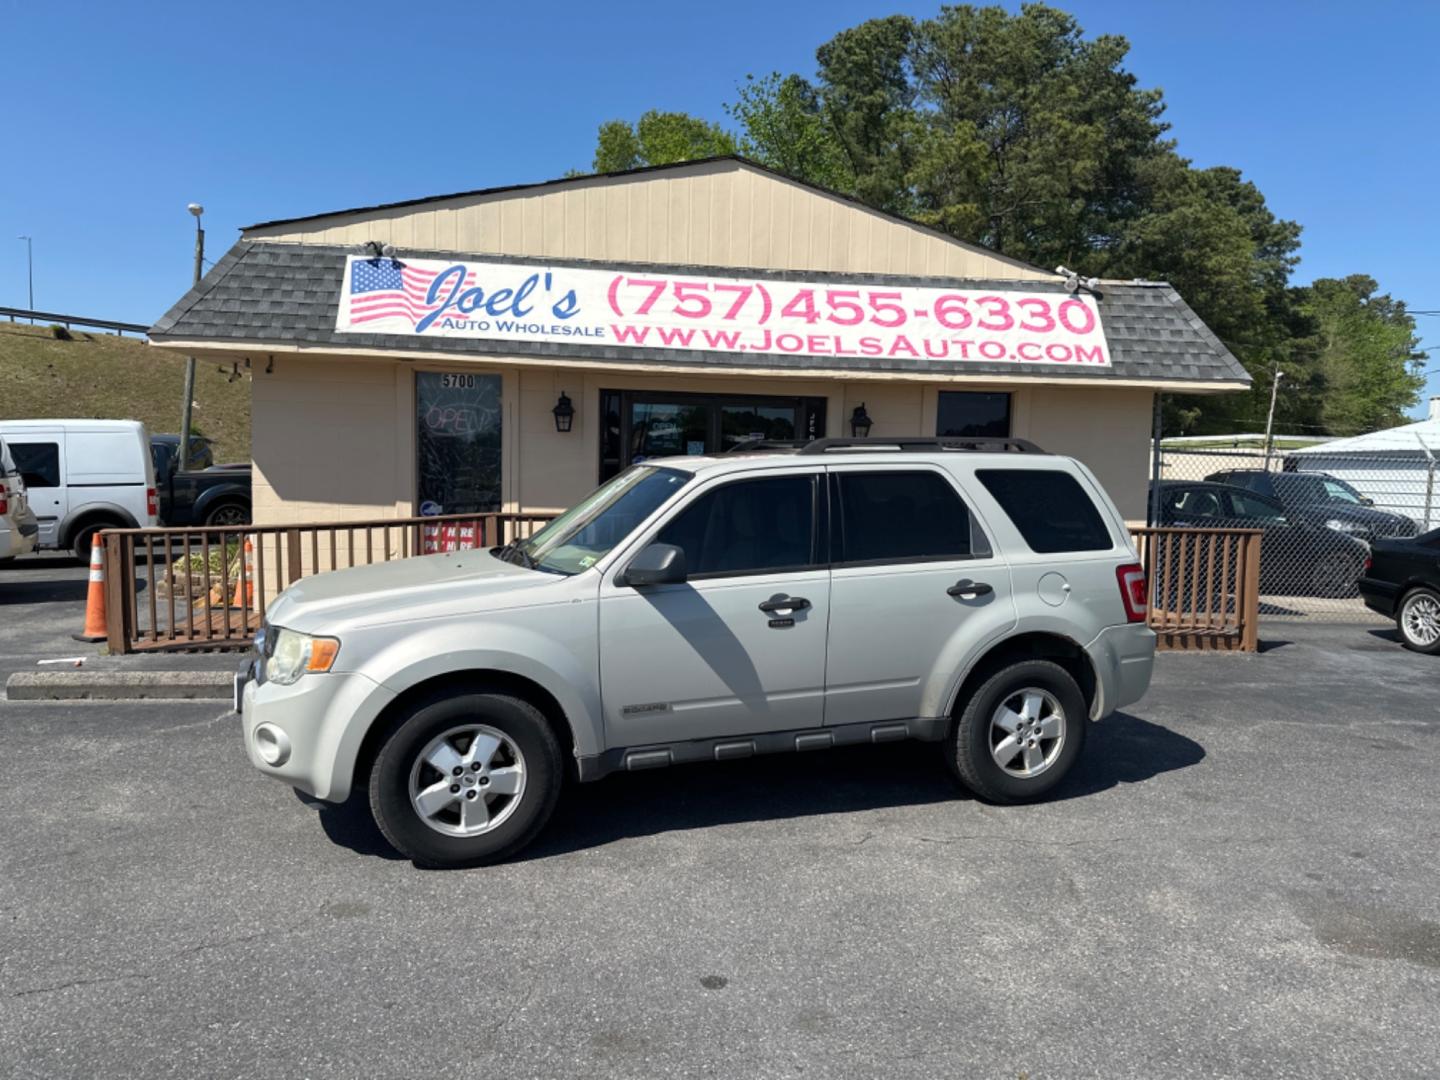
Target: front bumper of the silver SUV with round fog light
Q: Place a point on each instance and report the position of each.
(319, 724)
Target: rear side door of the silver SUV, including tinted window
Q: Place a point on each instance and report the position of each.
(914, 581)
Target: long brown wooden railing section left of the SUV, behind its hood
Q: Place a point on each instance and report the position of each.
(208, 588)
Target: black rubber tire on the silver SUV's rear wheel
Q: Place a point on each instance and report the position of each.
(968, 750)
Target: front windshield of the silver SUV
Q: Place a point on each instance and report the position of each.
(582, 535)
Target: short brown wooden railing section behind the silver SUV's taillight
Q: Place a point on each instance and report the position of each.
(1205, 587)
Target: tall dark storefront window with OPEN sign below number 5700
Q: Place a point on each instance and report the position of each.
(457, 443)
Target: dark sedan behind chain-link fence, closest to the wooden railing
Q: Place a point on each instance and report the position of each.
(1298, 557)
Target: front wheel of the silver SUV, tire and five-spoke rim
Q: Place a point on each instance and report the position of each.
(466, 780)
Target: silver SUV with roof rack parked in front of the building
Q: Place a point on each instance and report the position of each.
(983, 595)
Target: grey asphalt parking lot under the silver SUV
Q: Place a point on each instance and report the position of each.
(1239, 881)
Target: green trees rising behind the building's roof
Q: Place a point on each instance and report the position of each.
(1019, 133)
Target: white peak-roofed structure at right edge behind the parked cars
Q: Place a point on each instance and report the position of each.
(1395, 469)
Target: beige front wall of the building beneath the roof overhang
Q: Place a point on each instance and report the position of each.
(335, 438)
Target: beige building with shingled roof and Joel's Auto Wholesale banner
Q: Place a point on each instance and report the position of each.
(510, 348)
